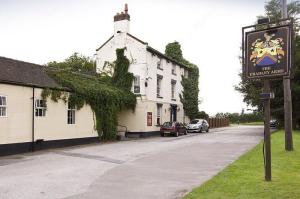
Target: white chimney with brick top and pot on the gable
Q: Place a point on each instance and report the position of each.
(121, 21)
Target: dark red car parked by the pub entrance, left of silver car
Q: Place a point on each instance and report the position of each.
(172, 128)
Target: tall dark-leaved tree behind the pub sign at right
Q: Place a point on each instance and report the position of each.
(251, 89)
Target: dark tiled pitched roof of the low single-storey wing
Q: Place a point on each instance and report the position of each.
(24, 73)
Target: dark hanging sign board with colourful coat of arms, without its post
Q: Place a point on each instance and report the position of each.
(267, 52)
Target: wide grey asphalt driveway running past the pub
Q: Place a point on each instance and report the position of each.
(155, 167)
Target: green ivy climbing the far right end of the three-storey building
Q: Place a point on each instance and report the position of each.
(190, 84)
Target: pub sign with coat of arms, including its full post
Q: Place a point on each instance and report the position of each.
(267, 56)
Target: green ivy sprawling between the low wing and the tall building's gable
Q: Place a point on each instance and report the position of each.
(106, 96)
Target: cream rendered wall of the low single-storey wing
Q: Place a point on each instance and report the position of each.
(17, 126)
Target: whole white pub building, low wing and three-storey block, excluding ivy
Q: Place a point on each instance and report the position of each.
(28, 123)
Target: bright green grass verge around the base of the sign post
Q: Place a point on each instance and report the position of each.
(245, 177)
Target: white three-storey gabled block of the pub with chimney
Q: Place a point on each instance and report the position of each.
(157, 79)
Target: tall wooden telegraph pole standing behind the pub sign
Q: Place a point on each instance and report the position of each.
(287, 98)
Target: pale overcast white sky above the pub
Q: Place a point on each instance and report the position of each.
(40, 31)
